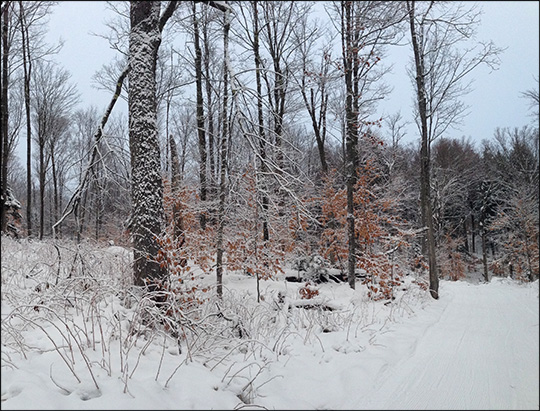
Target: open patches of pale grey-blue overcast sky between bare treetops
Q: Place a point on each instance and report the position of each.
(494, 102)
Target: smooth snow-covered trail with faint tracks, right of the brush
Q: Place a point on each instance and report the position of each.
(481, 353)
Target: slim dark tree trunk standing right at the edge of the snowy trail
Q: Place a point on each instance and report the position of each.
(425, 188)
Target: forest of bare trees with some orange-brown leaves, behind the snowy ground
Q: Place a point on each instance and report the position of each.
(253, 140)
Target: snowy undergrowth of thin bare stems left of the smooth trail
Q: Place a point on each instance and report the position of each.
(70, 307)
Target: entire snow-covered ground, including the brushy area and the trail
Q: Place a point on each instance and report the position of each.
(77, 343)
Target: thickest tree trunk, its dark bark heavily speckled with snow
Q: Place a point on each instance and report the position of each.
(147, 186)
